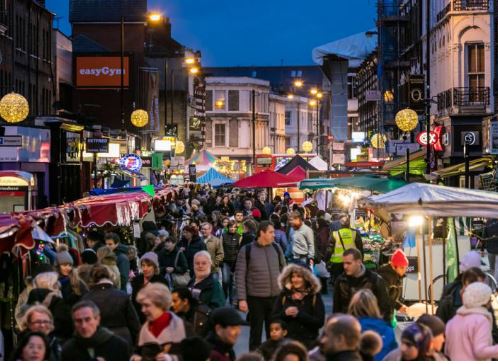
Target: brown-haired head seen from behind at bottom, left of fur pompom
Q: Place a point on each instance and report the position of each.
(342, 333)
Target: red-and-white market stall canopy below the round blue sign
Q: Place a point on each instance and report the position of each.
(116, 209)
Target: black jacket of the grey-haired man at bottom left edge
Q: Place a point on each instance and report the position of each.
(103, 344)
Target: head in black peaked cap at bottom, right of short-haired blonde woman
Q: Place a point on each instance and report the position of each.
(226, 323)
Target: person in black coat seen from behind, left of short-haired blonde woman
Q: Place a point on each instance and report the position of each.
(116, 310)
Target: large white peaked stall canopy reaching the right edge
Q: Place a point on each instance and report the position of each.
(433, 200)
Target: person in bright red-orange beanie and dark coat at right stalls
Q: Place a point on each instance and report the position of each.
(393, 273)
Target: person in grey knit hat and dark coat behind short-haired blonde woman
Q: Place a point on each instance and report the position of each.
(150, 274)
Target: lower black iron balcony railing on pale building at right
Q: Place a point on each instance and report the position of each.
(464, 100)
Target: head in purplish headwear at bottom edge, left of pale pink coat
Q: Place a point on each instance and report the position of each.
(415, 342)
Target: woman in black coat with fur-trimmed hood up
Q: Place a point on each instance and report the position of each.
(300, 304)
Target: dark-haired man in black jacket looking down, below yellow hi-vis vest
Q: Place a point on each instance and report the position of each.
(356, 277)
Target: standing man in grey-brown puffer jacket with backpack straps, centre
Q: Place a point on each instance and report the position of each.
(256, 275)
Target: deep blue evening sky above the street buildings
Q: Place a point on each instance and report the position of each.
(256, 32)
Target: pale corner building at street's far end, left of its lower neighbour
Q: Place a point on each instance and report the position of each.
(231, 125)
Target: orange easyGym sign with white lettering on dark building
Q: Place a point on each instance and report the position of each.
(101, 71)
